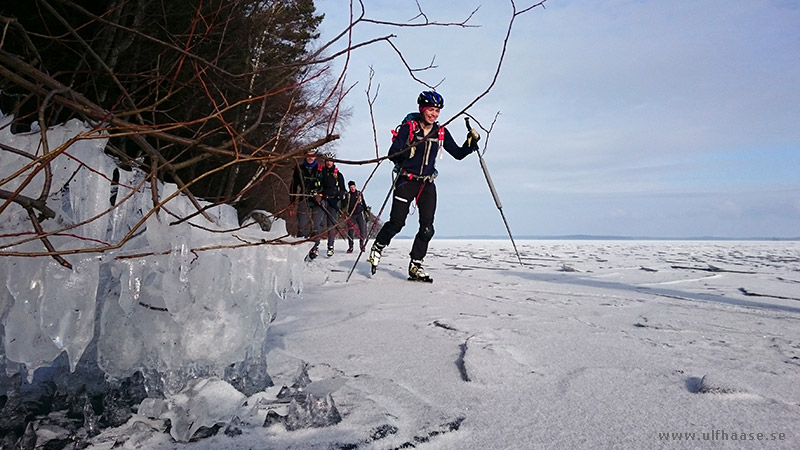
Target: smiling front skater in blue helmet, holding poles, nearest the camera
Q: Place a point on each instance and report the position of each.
(414, 149)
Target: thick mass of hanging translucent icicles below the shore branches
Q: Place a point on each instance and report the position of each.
(176, 303)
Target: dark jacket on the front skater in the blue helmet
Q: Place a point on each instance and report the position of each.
(421, 160)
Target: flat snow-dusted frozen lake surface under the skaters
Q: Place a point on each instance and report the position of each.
(591, 345)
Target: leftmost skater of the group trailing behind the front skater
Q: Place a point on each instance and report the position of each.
(306, 197)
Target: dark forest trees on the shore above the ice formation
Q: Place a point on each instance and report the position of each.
(217, 96)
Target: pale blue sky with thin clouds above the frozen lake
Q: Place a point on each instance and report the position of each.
(616, 117)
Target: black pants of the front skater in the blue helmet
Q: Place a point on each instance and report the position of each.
(406, 191)
